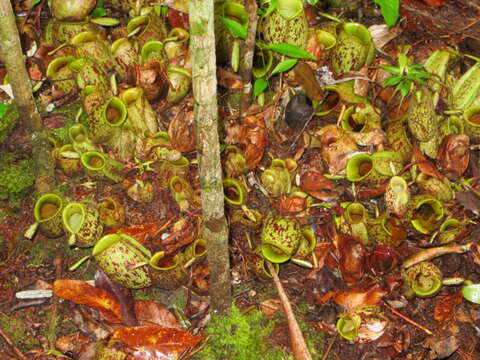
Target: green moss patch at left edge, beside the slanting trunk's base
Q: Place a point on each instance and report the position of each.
(16, 176)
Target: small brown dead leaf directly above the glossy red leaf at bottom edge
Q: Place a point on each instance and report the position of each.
(150, 312)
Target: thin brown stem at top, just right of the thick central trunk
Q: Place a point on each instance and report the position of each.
(247, 53)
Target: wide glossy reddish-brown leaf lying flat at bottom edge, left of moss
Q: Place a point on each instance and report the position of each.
(153, 342)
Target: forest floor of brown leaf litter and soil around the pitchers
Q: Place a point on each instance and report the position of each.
(345, 274)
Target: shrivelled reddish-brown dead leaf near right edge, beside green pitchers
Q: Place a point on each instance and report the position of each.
(454, 155)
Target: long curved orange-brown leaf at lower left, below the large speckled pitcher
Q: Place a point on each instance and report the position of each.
(80, 292)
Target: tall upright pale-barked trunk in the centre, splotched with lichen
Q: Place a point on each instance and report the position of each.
(215, 228)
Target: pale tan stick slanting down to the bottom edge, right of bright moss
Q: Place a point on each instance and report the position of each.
(299, 347)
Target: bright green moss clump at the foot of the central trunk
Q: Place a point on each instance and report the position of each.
(239, 337)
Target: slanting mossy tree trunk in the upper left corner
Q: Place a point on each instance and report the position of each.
(30, 118)
